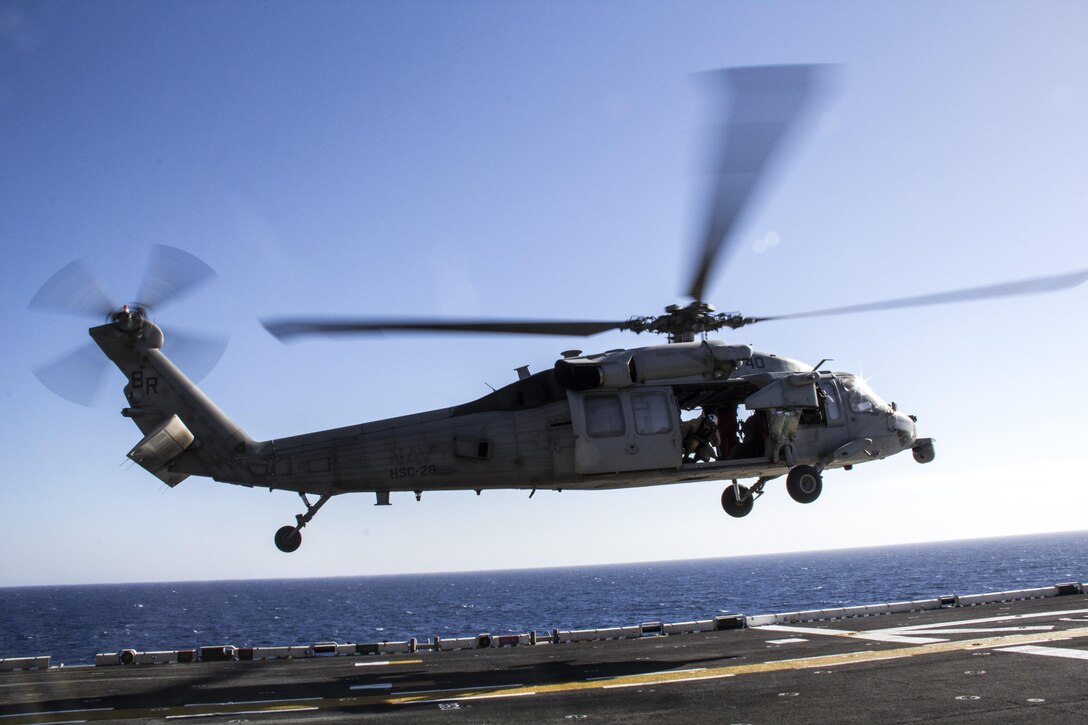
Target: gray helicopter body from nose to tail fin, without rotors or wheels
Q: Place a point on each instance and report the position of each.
(601, 422)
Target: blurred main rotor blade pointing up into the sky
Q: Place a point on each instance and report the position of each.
(766, 103)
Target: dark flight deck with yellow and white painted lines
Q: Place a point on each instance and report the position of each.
(1019, 660)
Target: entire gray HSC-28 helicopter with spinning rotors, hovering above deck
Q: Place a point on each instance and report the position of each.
(604, 421)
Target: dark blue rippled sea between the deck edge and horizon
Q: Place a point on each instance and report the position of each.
(73, 623)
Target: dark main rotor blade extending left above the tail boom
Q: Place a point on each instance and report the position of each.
(288, 328)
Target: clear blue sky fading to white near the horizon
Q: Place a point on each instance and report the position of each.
(535, 159)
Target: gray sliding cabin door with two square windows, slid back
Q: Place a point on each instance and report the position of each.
(634, 429)
